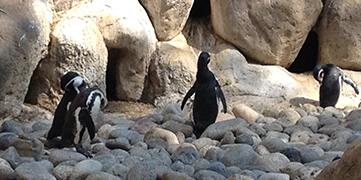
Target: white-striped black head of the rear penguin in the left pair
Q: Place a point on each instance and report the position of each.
(71, 81)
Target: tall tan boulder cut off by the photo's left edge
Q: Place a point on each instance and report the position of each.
(24, 39)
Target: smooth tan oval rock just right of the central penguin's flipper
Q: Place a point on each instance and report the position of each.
(246, 113)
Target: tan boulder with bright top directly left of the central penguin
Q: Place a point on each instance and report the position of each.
(171, 72)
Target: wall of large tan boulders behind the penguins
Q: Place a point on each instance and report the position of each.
(147, 50)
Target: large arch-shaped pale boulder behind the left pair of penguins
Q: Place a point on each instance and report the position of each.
(81, 40)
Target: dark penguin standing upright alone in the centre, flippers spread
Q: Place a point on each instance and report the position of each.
(207, 92)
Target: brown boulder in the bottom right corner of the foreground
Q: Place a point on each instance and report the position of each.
(348, 167)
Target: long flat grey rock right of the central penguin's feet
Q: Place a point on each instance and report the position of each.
(217, 130)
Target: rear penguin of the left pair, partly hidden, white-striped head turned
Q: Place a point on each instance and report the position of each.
(71, 83)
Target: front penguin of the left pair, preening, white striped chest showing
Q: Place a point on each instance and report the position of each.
(79, 120)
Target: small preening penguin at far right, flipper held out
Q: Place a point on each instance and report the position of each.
(331, 78)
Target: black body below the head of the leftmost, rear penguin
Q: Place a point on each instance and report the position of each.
(59, 117)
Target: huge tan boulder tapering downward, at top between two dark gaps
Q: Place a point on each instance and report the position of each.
(270, 32)
